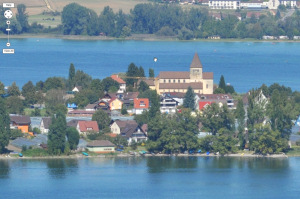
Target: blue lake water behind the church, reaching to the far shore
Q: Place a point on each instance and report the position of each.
(245, 65)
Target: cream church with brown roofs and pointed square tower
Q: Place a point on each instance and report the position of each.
(173, 81)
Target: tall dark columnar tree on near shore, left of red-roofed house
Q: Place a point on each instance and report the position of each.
(57, 134)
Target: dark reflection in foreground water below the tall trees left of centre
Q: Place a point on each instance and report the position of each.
(57, 168)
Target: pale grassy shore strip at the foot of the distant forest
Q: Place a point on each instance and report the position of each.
(137, 37)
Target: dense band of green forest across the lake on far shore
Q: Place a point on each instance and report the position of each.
(162, 20)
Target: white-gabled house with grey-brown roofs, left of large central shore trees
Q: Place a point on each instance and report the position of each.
(130, 130)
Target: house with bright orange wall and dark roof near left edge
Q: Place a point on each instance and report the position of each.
(20, 122)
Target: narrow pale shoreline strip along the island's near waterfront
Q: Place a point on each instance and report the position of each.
(79, 156)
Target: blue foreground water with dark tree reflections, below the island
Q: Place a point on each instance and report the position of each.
(153, 177)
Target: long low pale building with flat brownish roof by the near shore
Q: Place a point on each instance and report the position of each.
(101, 146)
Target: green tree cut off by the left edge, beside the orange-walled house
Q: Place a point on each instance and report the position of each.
(4, 126)
